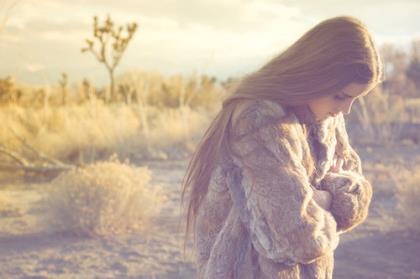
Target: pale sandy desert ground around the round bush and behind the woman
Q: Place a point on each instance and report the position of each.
(27, 250)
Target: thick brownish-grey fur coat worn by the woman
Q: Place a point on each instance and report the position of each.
(259, 219)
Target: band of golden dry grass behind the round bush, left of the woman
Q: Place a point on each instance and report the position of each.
(93, 131)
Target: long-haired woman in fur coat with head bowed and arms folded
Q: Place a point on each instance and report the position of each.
(274, 181)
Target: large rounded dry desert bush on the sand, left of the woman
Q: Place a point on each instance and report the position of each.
(104, 198)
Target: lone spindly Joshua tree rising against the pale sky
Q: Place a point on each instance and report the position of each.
(108, 46)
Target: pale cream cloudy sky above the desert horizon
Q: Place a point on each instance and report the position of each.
(40, 39)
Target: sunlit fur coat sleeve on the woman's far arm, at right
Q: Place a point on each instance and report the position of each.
(351, 191)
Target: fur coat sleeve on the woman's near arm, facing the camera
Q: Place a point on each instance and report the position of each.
(285, 223)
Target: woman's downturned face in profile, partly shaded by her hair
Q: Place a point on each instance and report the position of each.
(341, 101)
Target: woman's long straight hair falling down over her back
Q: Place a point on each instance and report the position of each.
(334, 53)
